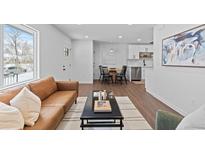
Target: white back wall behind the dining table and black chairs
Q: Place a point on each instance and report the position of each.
(102, 57)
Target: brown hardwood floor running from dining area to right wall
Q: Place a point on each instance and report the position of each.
(145, 103)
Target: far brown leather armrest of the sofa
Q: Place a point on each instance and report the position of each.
(68, 85)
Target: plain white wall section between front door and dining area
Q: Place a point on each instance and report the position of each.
(82, 58)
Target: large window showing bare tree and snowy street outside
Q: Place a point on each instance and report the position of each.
(19, 55)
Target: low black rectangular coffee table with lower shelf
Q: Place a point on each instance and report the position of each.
(103, 119)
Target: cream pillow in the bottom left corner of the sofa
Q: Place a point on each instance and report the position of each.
(10, 117)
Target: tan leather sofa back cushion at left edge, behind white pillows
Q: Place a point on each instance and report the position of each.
(7, 95)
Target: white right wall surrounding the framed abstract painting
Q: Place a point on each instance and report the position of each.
(179, 87)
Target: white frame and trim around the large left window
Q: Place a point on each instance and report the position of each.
(36, 56)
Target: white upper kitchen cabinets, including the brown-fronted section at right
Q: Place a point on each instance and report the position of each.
(140, 51)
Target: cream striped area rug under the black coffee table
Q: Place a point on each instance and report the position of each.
(133, 120)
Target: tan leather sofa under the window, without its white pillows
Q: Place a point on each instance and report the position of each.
(56, 96)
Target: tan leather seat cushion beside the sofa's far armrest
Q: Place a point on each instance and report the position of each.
(61, 98)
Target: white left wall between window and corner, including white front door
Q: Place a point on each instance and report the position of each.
(52, 44)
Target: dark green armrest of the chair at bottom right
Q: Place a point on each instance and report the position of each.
(167, 120)
